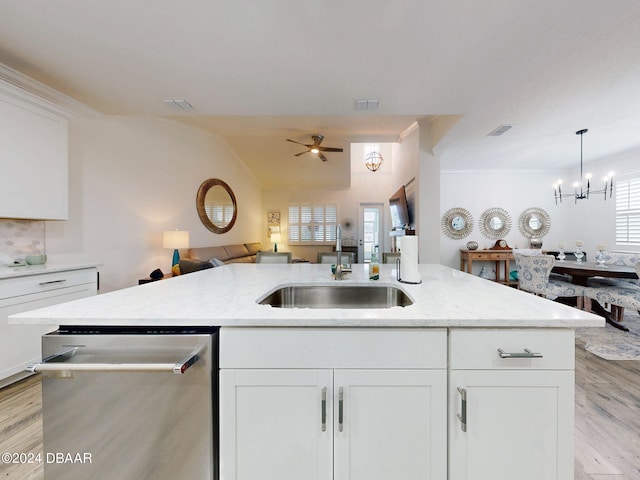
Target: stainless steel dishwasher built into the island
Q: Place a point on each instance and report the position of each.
(130, 403)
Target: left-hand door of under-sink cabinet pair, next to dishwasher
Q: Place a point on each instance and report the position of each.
(274, 424)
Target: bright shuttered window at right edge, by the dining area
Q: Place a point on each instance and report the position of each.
(628, 212)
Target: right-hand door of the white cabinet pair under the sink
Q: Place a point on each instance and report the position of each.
(393, 424)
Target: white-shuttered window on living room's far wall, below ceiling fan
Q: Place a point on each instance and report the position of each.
(312, 224)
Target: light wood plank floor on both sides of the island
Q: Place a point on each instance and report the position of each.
(607, 421)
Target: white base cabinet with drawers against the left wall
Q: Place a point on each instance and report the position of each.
(21, 344)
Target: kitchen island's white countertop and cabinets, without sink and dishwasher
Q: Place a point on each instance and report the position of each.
(473, 380)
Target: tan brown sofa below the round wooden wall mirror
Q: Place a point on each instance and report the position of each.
(208, 257)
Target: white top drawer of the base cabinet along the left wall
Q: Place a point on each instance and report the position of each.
(30, 284)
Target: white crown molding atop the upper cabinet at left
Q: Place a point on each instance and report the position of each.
(17, 85)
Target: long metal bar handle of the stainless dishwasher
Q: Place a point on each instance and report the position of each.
(48, 365)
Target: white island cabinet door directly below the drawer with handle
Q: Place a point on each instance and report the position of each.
(519, 425)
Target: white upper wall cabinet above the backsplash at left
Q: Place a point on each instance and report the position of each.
(34, 160)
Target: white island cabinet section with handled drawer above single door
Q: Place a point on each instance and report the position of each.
(511, 416)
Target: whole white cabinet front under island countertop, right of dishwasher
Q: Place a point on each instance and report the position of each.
(374, 404)
